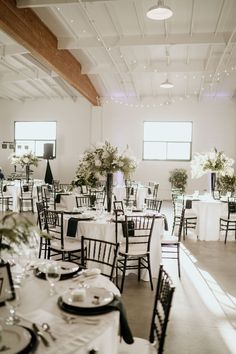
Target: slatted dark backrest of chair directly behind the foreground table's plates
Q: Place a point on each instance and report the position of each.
(100, 252)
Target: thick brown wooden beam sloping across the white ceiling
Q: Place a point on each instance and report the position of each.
(24, 26)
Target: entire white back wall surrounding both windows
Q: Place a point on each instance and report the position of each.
(79, 124)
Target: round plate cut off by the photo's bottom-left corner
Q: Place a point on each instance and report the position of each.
(14, 339)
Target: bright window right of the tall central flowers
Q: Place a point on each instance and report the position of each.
(167, 140)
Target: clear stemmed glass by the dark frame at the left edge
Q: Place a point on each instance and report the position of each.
(12, 301)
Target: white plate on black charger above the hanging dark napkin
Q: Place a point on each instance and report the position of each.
(95, 297)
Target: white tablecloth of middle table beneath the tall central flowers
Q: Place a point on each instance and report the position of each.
(105, 229)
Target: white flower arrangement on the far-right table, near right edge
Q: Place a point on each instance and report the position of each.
(214, 162)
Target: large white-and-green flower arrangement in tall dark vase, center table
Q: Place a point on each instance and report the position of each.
(103, 160)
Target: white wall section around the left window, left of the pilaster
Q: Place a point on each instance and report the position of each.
(73, 132)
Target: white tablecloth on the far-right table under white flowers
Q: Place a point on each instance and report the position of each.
(208, 211)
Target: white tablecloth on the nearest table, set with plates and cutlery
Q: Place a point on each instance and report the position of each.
(37, 306)
